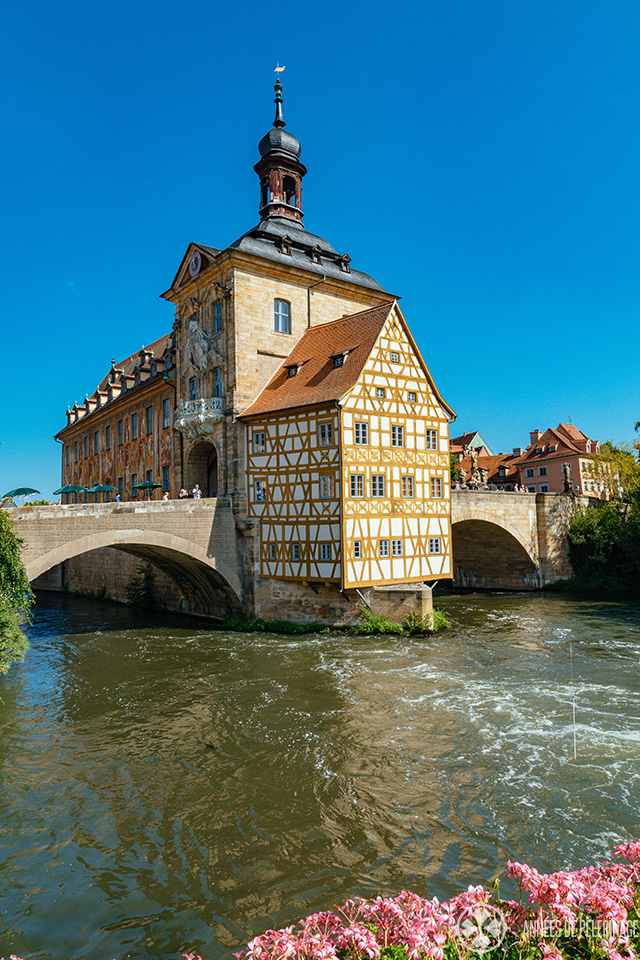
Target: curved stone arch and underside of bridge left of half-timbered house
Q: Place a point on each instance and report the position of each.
(209, 584)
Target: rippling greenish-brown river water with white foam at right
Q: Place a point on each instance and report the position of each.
(169, 787)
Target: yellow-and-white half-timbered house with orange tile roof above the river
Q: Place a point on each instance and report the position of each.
(354, 491)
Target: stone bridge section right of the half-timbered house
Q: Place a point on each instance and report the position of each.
(510, 541)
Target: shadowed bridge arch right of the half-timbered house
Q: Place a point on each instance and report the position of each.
(488, 555)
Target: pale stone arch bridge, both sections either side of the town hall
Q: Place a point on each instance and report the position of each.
(500, 541)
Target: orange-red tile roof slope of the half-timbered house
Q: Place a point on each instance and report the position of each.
(317, 381)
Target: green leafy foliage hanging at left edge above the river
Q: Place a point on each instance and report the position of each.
(16, 596)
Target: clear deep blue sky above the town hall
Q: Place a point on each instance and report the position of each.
(479, 157)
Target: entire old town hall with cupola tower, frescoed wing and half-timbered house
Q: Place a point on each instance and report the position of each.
(292, 386)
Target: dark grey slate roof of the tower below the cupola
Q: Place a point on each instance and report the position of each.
(264, 240)
